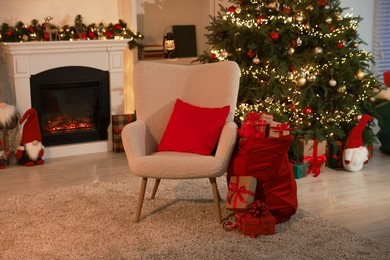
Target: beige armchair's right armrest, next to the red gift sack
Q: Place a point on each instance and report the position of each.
(227, 141)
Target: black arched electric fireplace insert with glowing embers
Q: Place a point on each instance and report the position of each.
(73, 104)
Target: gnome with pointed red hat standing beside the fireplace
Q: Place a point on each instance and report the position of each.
(31, 150)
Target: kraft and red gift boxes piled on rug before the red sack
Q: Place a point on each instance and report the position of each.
(252, 217)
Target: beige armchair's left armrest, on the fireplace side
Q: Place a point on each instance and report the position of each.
(133, 139)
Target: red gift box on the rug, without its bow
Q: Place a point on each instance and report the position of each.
(254, 226)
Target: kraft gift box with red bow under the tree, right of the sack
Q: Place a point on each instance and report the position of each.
(314, 154)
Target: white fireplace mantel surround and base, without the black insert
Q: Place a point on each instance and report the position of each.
(29, 58)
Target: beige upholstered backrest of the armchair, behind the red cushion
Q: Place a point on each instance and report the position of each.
(158, 85)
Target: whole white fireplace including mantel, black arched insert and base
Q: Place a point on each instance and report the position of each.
(28, 60)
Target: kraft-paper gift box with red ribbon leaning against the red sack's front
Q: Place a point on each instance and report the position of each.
(241, 192)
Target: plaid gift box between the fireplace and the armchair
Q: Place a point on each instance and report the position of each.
(118, 122)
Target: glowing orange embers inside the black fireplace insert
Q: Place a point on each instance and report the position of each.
(67, 124)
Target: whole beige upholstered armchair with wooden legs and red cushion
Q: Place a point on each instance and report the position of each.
(157, 86)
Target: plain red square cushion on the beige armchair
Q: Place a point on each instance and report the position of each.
(193, 129)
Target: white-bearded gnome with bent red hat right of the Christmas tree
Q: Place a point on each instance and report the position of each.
(355, 153)
